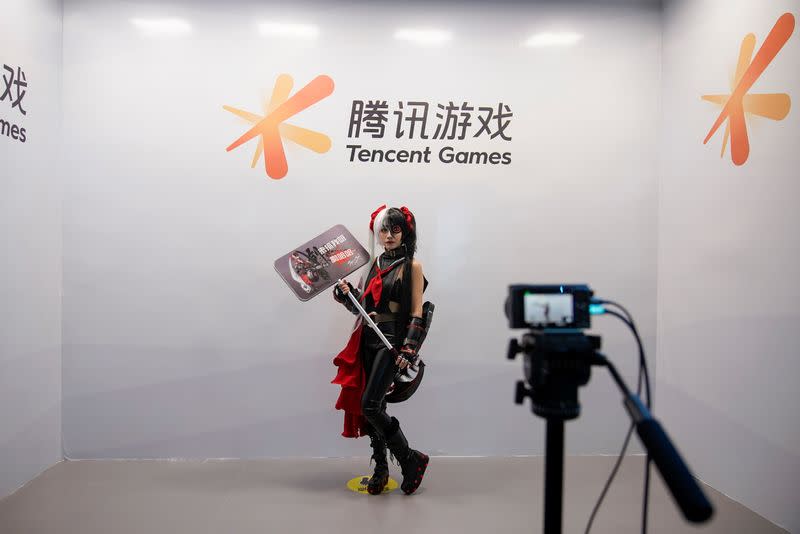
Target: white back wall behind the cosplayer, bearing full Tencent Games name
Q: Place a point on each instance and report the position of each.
(179, 338)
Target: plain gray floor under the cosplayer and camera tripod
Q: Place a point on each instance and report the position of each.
(463, 495)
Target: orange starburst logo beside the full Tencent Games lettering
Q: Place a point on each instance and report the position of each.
(272, 126)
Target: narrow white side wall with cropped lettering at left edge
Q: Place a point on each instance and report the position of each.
(30, 240)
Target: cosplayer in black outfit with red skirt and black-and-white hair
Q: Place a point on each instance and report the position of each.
(392, 295)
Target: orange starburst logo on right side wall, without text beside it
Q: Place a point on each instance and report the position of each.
(773, 106)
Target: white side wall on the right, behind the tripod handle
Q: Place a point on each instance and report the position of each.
(728, 263)
